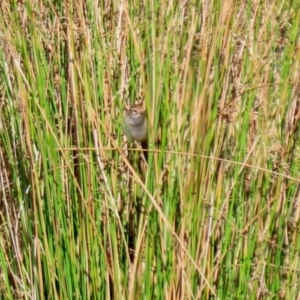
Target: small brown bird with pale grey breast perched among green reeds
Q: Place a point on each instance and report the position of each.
(135, 125)
